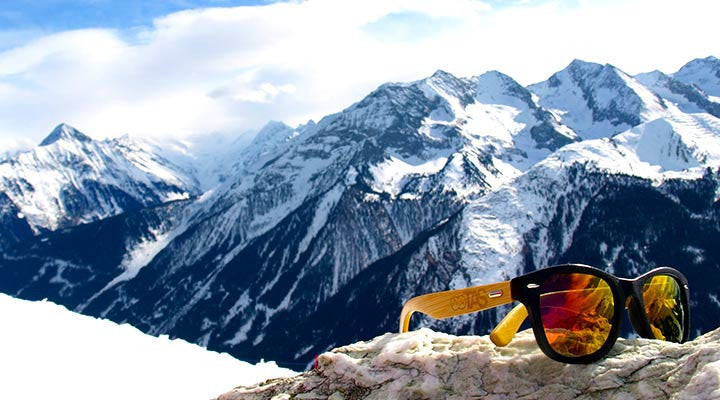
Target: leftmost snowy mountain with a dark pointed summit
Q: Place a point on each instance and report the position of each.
(71, 179)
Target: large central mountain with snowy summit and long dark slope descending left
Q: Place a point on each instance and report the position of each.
(310, 211)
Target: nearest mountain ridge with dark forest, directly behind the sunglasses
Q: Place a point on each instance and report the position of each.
(597, 202)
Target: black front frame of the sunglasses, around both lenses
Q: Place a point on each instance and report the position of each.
(527, 289)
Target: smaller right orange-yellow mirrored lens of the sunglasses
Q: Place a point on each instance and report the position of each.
(663, 306)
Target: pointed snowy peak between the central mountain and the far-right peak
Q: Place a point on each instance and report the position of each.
(598, 100)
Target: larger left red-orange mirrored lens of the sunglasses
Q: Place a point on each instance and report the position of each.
(576, 312)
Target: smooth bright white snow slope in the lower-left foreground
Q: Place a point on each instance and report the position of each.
(50, 352)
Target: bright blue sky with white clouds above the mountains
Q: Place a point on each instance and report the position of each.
(178, 68)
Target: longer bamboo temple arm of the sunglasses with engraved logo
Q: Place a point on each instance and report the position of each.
(452, 303)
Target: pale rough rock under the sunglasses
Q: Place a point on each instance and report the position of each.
(426, 364)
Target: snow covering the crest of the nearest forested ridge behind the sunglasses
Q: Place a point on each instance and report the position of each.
(495, 225)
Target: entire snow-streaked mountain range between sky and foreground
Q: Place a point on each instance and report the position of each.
(315, 236)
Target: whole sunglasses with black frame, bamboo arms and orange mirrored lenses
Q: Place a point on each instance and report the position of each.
(575, 310)
